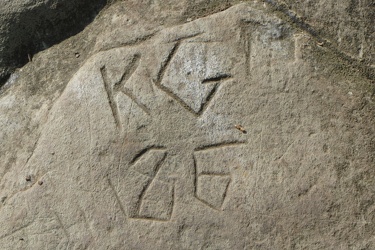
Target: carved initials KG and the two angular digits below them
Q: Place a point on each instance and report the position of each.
(192, 82)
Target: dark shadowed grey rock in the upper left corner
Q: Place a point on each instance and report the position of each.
(28, 26)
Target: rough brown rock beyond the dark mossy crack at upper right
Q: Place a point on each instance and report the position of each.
(347, 24)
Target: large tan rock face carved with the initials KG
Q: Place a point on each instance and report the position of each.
(234, 130)
